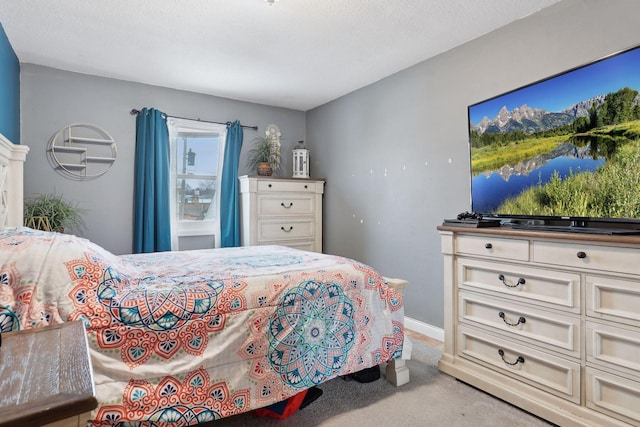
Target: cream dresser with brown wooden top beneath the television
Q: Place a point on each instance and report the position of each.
(549, 322)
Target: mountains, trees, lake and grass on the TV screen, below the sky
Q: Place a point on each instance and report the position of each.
(579, 162)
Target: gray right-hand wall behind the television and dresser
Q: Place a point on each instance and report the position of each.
(396, 152)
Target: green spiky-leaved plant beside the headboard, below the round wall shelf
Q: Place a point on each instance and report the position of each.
(51, 212)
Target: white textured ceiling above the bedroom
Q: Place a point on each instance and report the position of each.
(295, 54)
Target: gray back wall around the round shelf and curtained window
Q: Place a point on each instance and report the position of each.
(52, 99)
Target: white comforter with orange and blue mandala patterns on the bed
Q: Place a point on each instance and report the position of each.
(182, 338)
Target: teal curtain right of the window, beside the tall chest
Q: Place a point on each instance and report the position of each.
(229, 204)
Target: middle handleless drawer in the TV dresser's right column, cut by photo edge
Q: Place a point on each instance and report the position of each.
(613, 347)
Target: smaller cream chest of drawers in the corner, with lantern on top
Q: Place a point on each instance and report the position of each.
(281, 211)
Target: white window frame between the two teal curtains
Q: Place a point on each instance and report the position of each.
(200, 227)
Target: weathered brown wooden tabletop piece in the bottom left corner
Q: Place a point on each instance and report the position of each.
(46, 377)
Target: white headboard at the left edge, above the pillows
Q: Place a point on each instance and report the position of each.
(12, 159)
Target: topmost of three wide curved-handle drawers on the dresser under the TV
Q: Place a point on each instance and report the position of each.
(532, 285)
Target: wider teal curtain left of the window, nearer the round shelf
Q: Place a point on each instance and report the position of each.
(152, 231)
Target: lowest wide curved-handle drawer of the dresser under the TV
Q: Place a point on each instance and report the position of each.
(560, 377)
